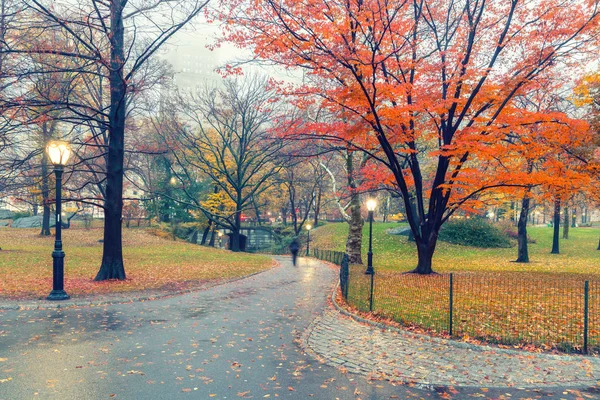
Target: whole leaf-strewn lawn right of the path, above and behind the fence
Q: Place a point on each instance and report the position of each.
(494, 299)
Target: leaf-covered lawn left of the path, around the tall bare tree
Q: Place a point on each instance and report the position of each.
(150, 263)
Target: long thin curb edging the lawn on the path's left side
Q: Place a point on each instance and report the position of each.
(47, 305)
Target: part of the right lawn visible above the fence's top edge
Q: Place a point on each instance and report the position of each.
(578, 253)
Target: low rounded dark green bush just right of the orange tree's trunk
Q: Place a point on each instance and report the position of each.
(475, 232)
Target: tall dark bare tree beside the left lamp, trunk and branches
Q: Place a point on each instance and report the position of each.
(109, 41)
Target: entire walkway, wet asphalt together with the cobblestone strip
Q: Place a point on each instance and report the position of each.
(240, 340)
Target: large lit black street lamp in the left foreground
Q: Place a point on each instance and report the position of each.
(59, 153)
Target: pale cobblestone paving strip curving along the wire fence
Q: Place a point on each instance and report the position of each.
(407, 357)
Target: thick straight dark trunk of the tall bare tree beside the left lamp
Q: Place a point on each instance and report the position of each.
(112, 257)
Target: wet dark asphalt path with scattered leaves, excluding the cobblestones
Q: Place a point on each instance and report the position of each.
(238, 340)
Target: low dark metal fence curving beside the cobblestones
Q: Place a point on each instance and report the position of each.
(552, 311)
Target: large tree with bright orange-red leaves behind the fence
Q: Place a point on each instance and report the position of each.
(432, 82)
